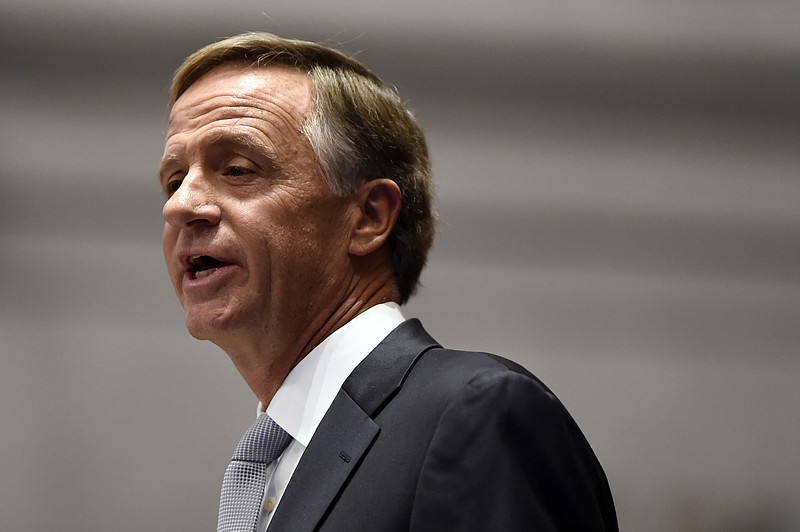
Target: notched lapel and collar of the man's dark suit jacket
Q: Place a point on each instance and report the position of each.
(347, 430)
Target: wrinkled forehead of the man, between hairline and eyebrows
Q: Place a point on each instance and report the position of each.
(279, 94)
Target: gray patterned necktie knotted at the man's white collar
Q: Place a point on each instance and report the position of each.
(246, 476)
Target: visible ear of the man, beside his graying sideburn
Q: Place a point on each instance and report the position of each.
(379, 205)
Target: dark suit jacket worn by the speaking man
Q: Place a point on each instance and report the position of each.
(427, 439)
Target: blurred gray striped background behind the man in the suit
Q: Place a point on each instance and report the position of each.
(619, 187)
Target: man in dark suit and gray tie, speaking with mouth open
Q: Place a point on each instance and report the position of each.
(298, 217)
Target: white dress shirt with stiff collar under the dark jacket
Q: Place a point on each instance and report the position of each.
(310, 388)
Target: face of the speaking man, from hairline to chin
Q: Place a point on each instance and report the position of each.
(254, 240)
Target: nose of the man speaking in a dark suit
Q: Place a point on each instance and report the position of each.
(192, 204)
